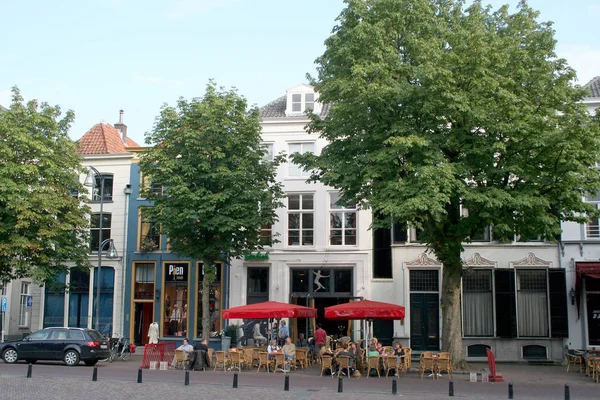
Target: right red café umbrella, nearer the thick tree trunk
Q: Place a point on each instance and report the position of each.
(365, 309)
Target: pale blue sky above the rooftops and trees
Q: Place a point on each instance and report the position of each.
(98, 56)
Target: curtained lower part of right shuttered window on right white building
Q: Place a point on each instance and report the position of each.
(533, 313)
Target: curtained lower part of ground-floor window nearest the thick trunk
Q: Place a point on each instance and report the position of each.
(478, 314)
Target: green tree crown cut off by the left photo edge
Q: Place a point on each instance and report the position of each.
(42, 226)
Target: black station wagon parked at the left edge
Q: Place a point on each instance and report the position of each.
(70, 345)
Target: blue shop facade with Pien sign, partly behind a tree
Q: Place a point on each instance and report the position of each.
(162, 286)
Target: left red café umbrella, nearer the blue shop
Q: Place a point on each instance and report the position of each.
(269, 309)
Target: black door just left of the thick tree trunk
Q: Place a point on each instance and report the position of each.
(424, 322)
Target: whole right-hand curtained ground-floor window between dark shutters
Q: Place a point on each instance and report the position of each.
(532, 303)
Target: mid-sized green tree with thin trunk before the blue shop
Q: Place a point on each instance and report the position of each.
(220, 189)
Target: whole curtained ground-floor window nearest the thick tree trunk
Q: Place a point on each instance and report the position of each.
(478, 308)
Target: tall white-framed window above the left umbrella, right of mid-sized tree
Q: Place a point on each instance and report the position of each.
(300, 220)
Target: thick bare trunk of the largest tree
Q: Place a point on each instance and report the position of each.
(451, 315)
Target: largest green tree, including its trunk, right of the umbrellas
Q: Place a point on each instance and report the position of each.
(438, 108)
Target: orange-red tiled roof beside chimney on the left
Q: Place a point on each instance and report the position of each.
(103, 138)
